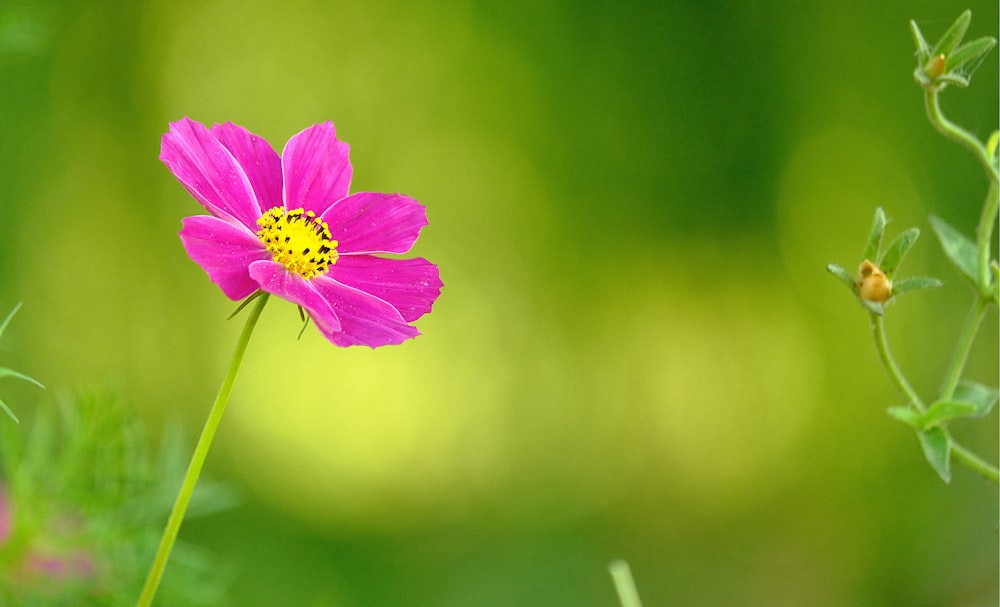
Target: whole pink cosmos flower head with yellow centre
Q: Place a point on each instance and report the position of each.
(288, 226)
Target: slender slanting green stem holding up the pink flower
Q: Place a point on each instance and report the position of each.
(198, 460)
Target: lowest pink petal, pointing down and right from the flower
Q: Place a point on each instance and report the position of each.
(365, 319)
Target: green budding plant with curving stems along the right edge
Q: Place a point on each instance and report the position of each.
(948, 62)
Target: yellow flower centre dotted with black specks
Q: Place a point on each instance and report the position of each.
(299, 240)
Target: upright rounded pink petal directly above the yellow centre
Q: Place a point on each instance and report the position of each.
(316, 168)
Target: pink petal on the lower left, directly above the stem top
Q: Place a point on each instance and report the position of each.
(225, 251)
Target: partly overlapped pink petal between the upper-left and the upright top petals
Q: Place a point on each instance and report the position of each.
(257, 159)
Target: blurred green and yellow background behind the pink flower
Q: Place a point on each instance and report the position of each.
(638, 353)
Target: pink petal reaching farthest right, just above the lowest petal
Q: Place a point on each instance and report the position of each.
(409, 285)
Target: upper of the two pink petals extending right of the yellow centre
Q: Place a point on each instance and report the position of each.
(366, 222)
